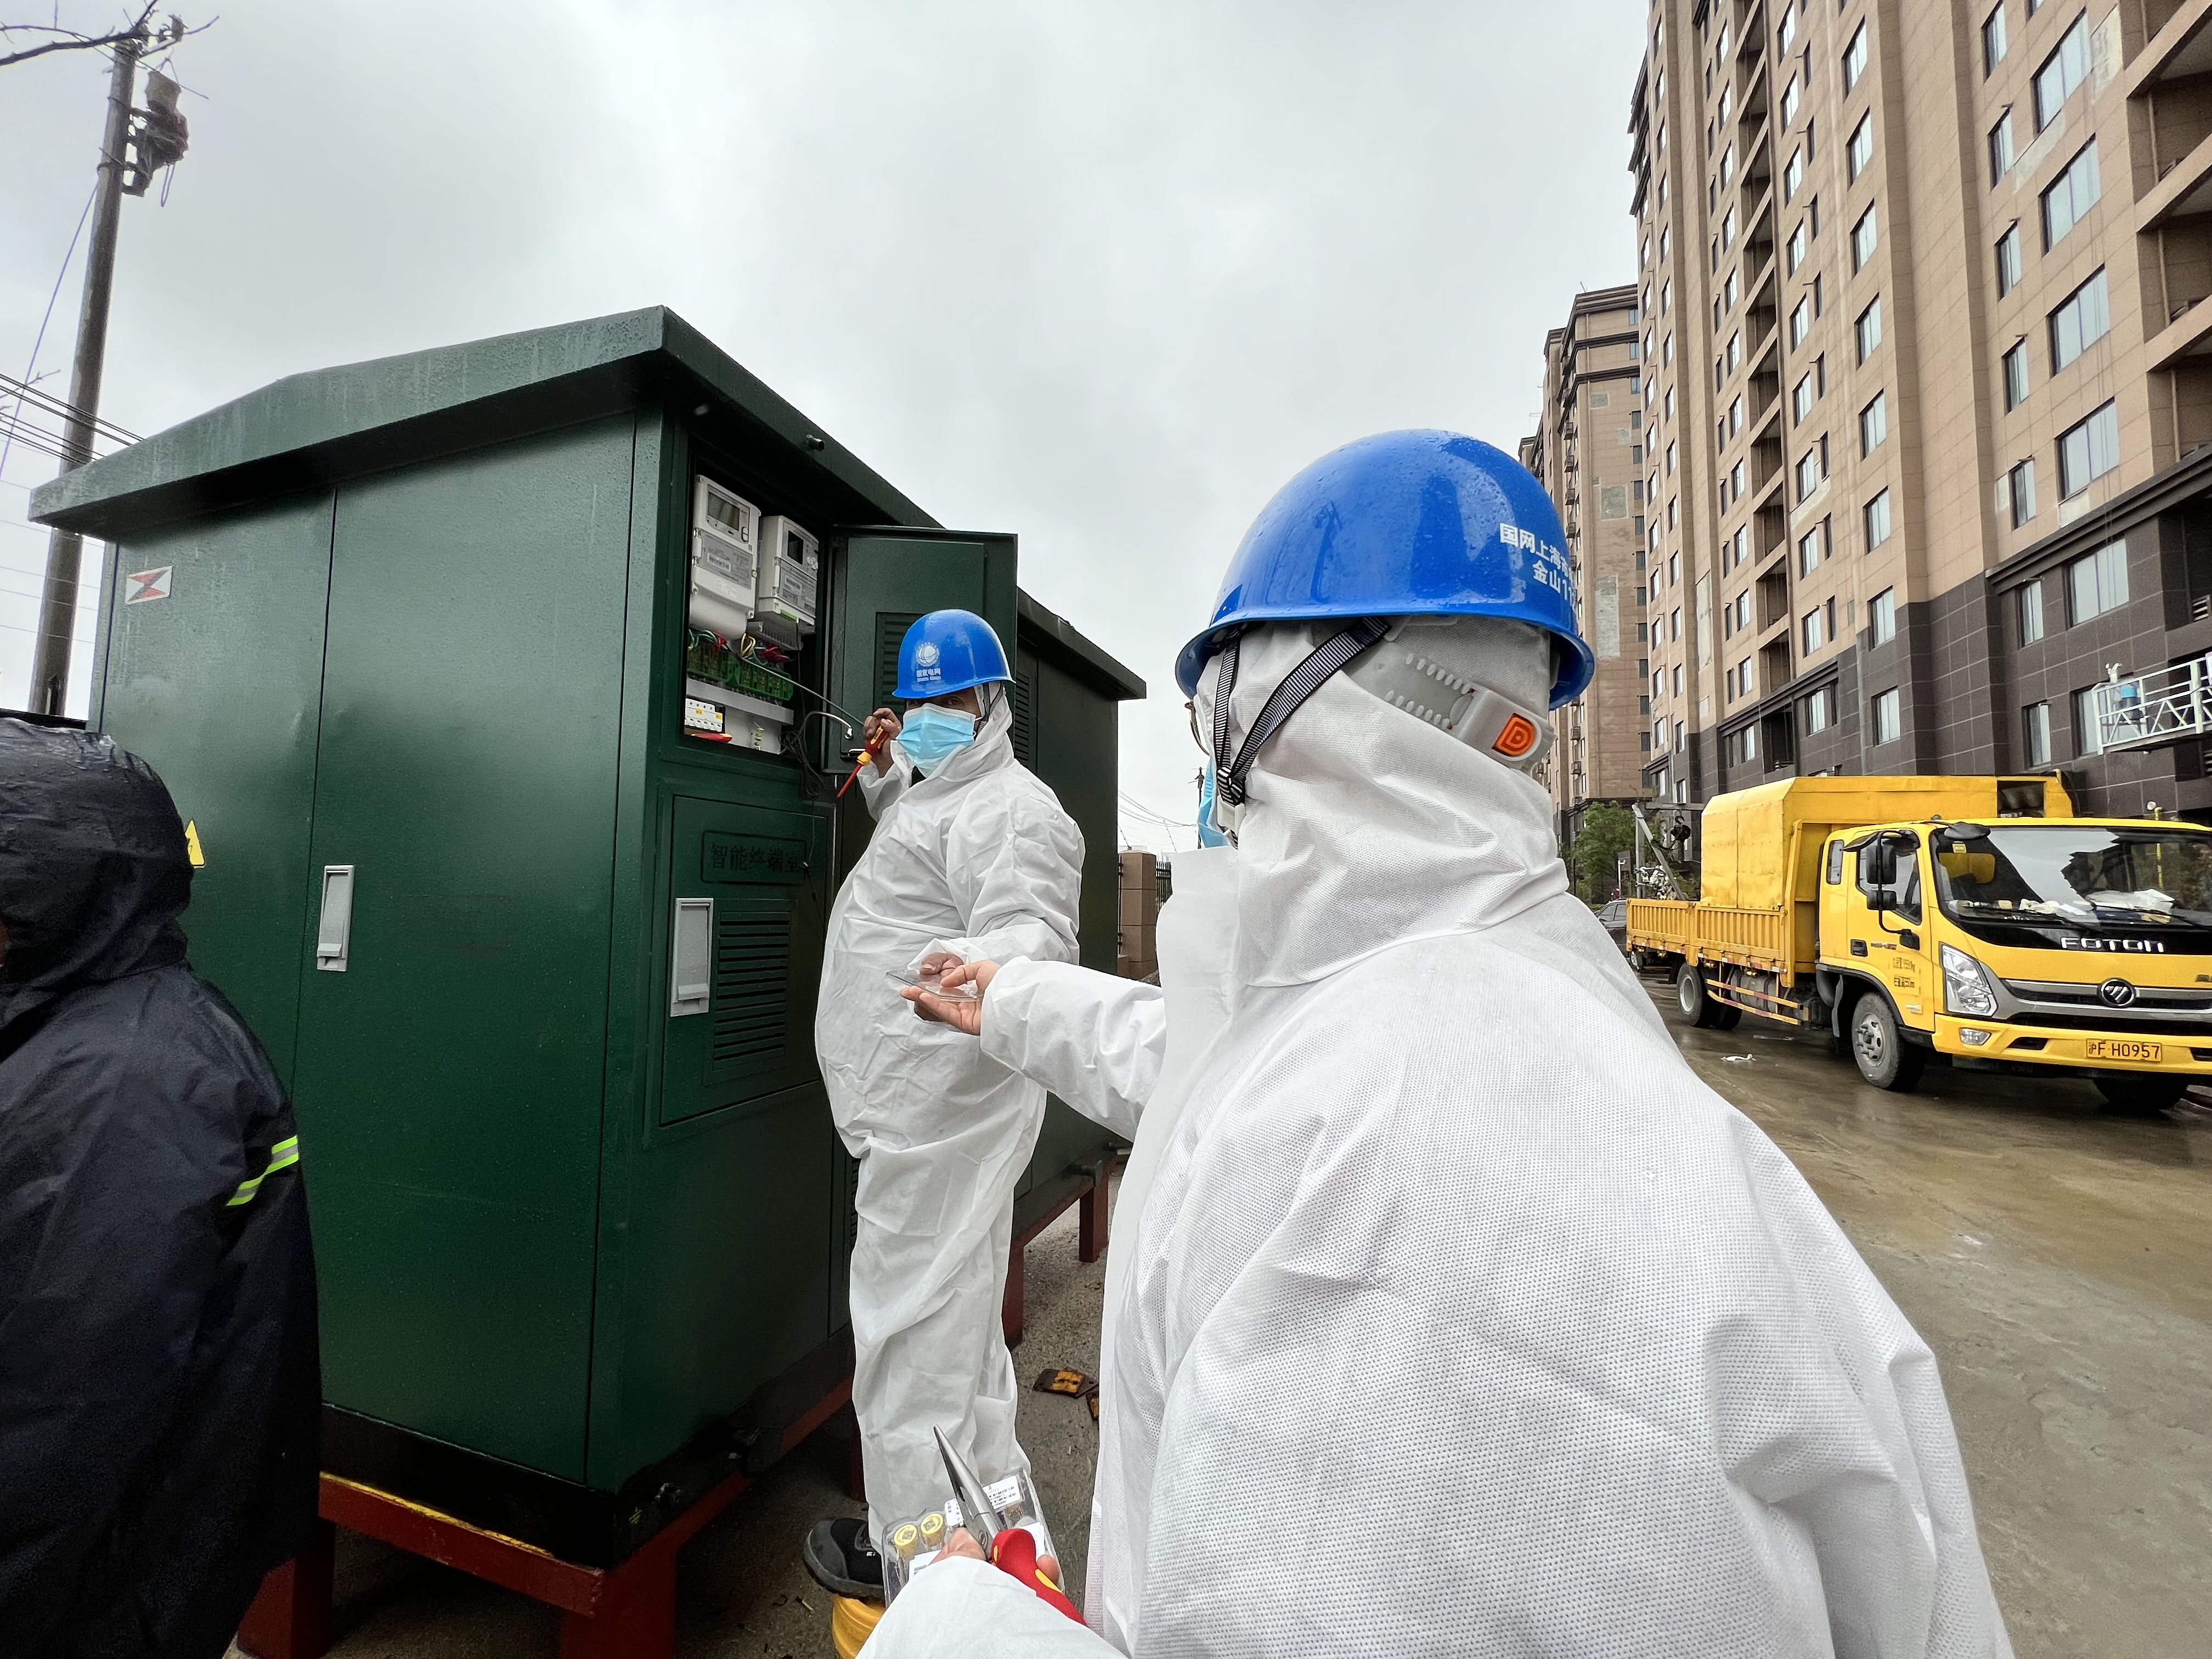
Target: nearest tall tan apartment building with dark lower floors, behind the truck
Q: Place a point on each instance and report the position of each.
(1928, 393)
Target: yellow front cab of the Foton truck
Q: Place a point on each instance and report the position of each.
(2034, 943)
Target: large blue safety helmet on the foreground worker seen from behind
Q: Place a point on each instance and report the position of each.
(1406, 525)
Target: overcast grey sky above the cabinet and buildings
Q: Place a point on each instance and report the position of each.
(1105, 275)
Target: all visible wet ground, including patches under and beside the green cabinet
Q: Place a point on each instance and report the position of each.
(2056, 1260)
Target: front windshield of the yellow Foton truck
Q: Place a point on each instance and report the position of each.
(2083, 875)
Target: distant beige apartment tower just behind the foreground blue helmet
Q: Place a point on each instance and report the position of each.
(1589, 455)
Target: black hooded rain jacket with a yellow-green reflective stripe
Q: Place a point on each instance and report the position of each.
(160, 1384)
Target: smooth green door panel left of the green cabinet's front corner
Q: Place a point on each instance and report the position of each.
(452, 1074)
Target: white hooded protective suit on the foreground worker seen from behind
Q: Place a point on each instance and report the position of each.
(1448, 1311)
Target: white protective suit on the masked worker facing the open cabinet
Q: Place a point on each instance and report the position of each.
(983, 862)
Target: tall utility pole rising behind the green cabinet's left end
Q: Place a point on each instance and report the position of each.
(65, 554)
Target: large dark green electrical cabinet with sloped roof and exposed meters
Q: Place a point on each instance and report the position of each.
(532, 943)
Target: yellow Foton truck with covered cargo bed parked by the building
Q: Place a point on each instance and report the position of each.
(1972, 919)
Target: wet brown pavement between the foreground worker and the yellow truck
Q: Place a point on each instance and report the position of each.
(2060, 1264)
